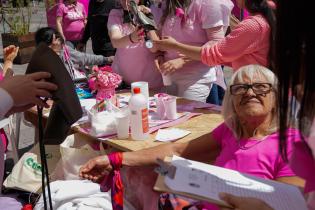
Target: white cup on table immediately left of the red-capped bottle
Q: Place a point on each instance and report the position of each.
(122, 124)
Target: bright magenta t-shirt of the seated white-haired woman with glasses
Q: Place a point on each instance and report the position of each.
(260, 158)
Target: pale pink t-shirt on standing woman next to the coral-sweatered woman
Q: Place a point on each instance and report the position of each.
(201, 15)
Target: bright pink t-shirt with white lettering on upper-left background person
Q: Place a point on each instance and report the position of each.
(73, 18)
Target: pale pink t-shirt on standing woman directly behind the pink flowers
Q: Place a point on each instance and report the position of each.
(134, 62)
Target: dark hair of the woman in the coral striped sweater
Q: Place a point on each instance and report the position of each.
(261, 7)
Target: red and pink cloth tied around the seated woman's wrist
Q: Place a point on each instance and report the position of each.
(113, 181)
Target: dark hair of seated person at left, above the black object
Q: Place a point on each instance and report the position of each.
(46, 35)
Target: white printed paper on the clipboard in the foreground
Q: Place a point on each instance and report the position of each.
(208, 181)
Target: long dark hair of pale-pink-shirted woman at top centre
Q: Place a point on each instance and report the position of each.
(171, 6)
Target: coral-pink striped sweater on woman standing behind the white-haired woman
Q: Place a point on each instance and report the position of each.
(247, 44)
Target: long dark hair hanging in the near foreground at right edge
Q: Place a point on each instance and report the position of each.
(295, 64)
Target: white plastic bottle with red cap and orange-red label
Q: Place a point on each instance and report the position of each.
(139, 116)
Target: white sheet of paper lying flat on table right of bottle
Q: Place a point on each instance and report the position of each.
(171, 134)
